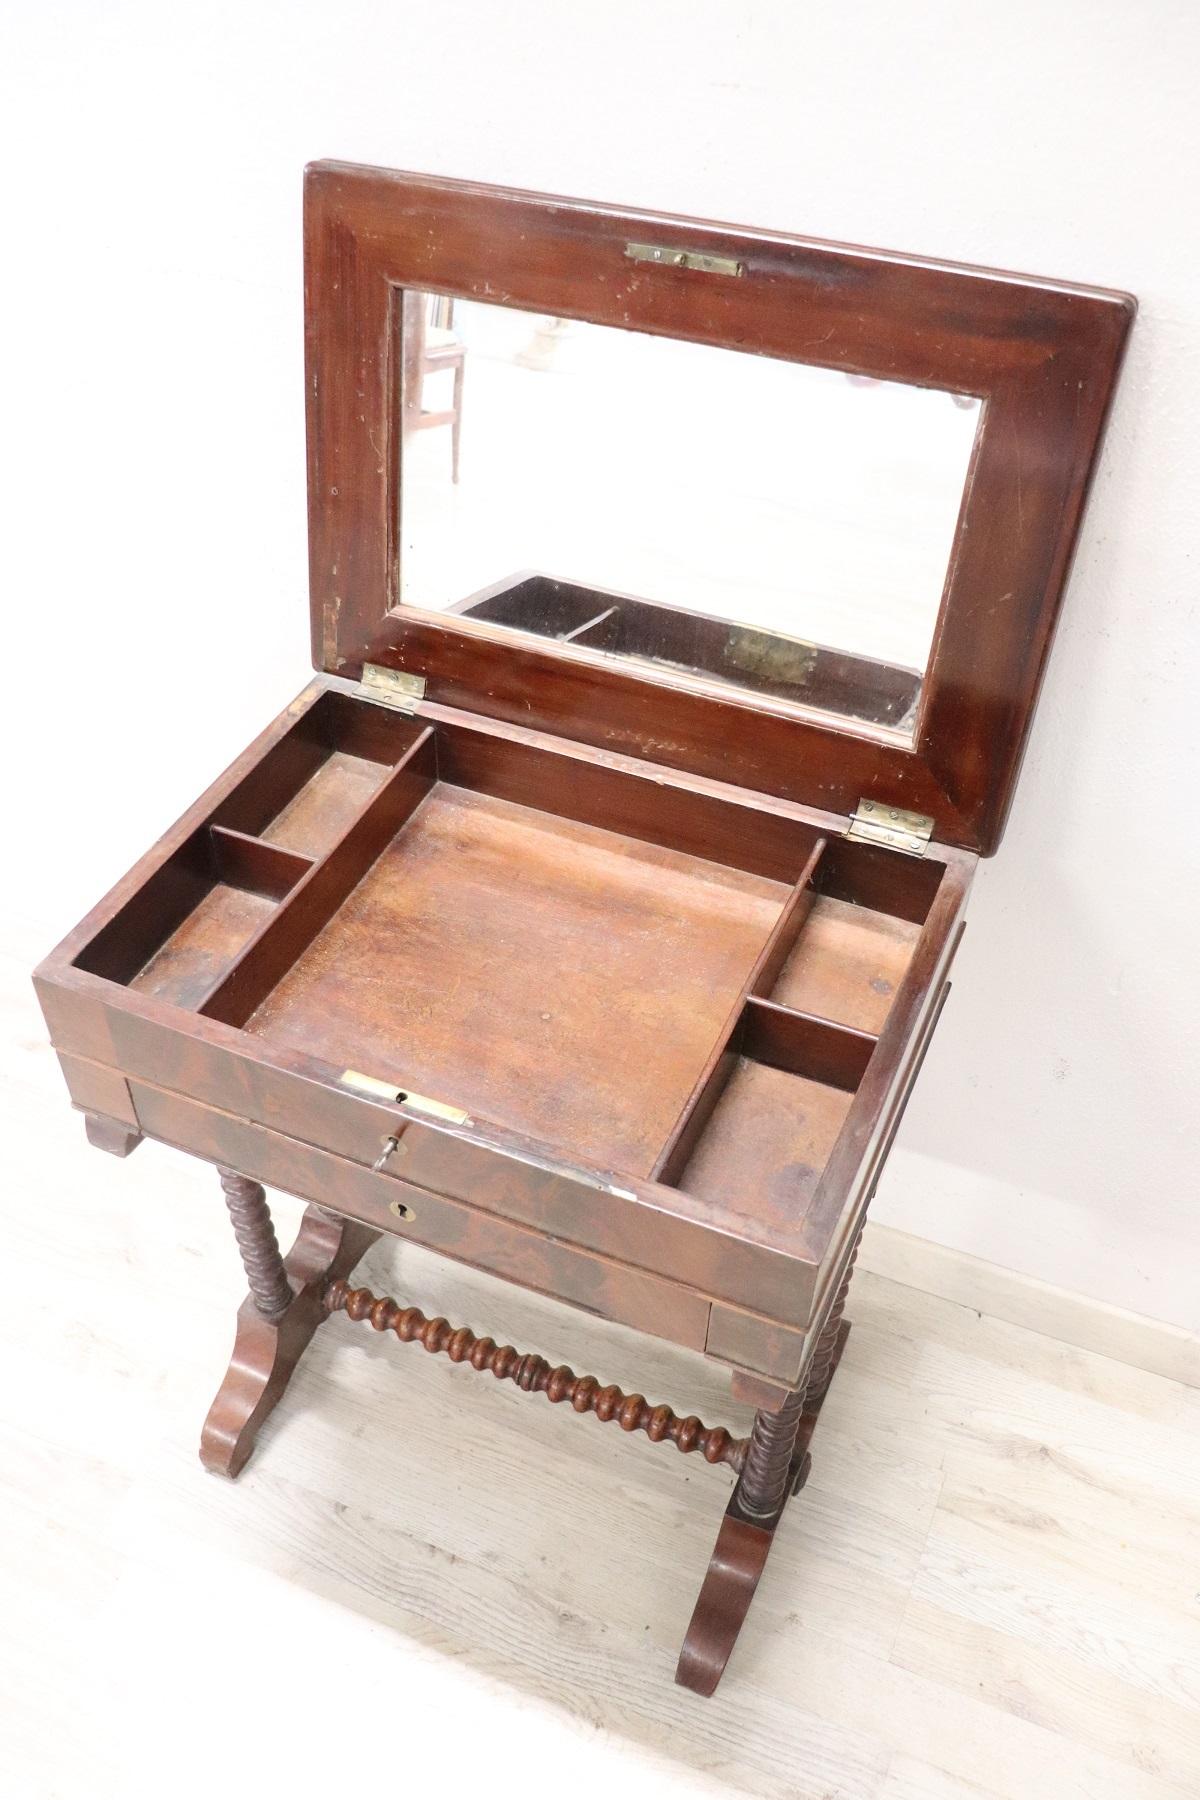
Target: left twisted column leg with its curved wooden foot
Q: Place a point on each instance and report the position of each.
(278, 1317)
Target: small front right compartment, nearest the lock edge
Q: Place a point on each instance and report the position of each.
(771, 1113)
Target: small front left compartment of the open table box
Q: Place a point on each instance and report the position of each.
(186, 928)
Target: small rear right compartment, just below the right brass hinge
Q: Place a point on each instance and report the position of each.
(859, 935)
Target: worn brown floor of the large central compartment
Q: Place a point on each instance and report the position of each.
(557, 978)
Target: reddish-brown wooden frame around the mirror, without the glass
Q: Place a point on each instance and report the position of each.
(1043, 357)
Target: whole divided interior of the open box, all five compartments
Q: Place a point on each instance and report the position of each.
(636, 976)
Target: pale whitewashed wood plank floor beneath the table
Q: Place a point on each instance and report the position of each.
(429, 1583)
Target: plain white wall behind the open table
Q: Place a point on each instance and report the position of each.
(154, 436)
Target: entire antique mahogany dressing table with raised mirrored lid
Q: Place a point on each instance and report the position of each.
(591, 913)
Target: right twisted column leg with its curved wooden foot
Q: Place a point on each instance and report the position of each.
(776, 1466)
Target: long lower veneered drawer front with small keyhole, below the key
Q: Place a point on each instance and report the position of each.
(596, 1284)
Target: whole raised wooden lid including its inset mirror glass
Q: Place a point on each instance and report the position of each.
(641, 460)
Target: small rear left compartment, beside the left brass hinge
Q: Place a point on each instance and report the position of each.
(318, 780)
